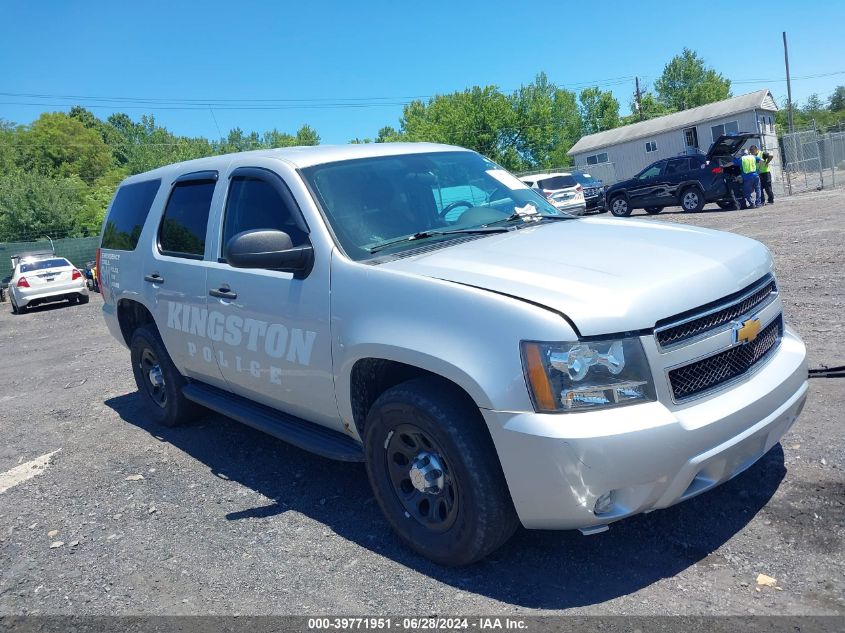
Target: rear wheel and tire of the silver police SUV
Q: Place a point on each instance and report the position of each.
(161, 387)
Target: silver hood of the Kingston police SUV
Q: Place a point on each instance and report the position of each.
(606, 275)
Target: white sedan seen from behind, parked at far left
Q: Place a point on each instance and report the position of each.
(40, 278)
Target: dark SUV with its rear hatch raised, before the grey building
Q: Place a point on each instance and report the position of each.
(686, 181)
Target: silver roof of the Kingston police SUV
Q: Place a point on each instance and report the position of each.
(301, 157)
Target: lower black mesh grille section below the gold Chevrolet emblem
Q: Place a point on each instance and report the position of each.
(710, 372)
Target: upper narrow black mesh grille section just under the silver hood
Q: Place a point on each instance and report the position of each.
(723, 312)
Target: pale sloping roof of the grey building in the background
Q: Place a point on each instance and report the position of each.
(760, 100)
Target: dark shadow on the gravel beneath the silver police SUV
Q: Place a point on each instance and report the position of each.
(544, 570)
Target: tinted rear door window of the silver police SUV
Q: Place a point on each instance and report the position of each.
(185, 220)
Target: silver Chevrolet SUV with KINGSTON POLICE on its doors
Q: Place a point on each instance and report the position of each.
(491, 359)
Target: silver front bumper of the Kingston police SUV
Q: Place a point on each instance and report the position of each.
(651, 456)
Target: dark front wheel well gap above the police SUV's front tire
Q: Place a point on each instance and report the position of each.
(371, 377)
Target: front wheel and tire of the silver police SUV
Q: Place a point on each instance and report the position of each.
(428, 425)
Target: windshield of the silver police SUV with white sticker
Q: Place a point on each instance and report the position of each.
(370, 202)
